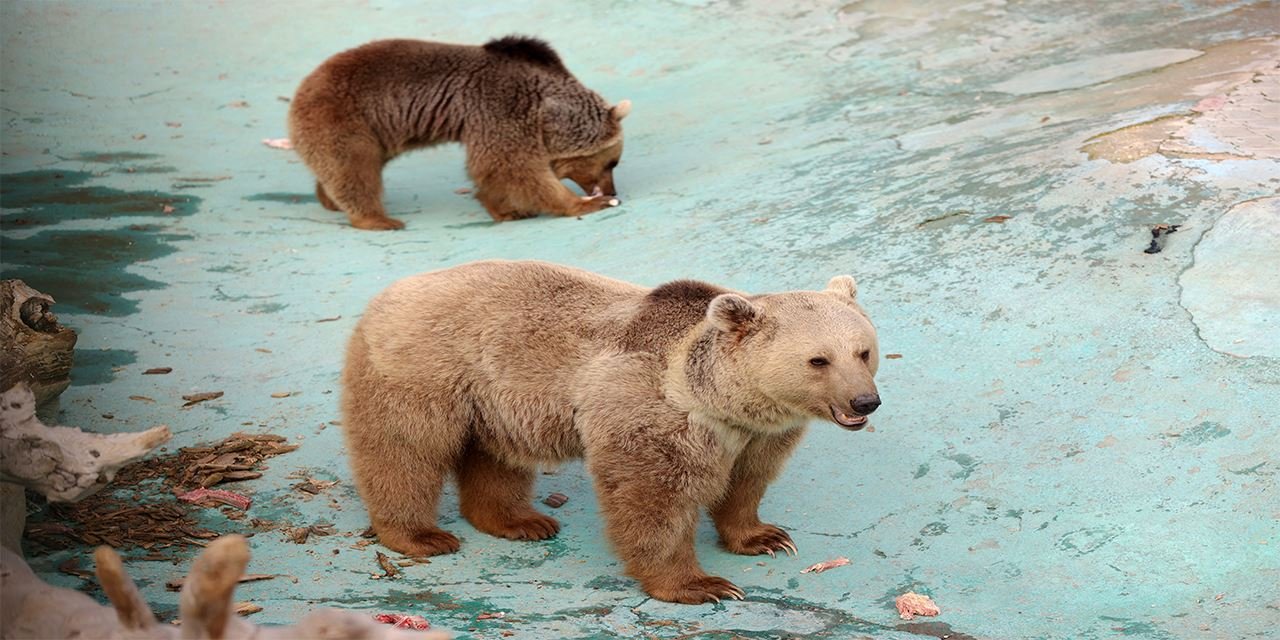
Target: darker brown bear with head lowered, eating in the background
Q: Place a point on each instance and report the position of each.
(527, 122)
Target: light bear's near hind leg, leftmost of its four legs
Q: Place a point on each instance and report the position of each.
(403, 445)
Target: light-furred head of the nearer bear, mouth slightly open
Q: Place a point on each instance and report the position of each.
(770, 362)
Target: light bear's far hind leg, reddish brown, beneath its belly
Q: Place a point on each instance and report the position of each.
(496, 499)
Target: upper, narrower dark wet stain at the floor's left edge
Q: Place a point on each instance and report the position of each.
(51, 196)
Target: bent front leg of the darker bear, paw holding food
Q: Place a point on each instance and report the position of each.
(513, 191)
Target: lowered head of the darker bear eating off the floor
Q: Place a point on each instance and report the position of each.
(586, 143)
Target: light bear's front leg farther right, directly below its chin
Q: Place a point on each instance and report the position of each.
(737, 515)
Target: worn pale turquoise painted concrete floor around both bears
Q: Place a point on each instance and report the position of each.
(1080, 440)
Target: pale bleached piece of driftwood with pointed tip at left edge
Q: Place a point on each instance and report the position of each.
(61, 463)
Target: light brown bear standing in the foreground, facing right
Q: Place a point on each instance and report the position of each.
(680, 397)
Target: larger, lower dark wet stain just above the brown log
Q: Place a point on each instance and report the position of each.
(86, 272)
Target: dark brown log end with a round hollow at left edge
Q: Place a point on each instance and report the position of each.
(36, 350)
